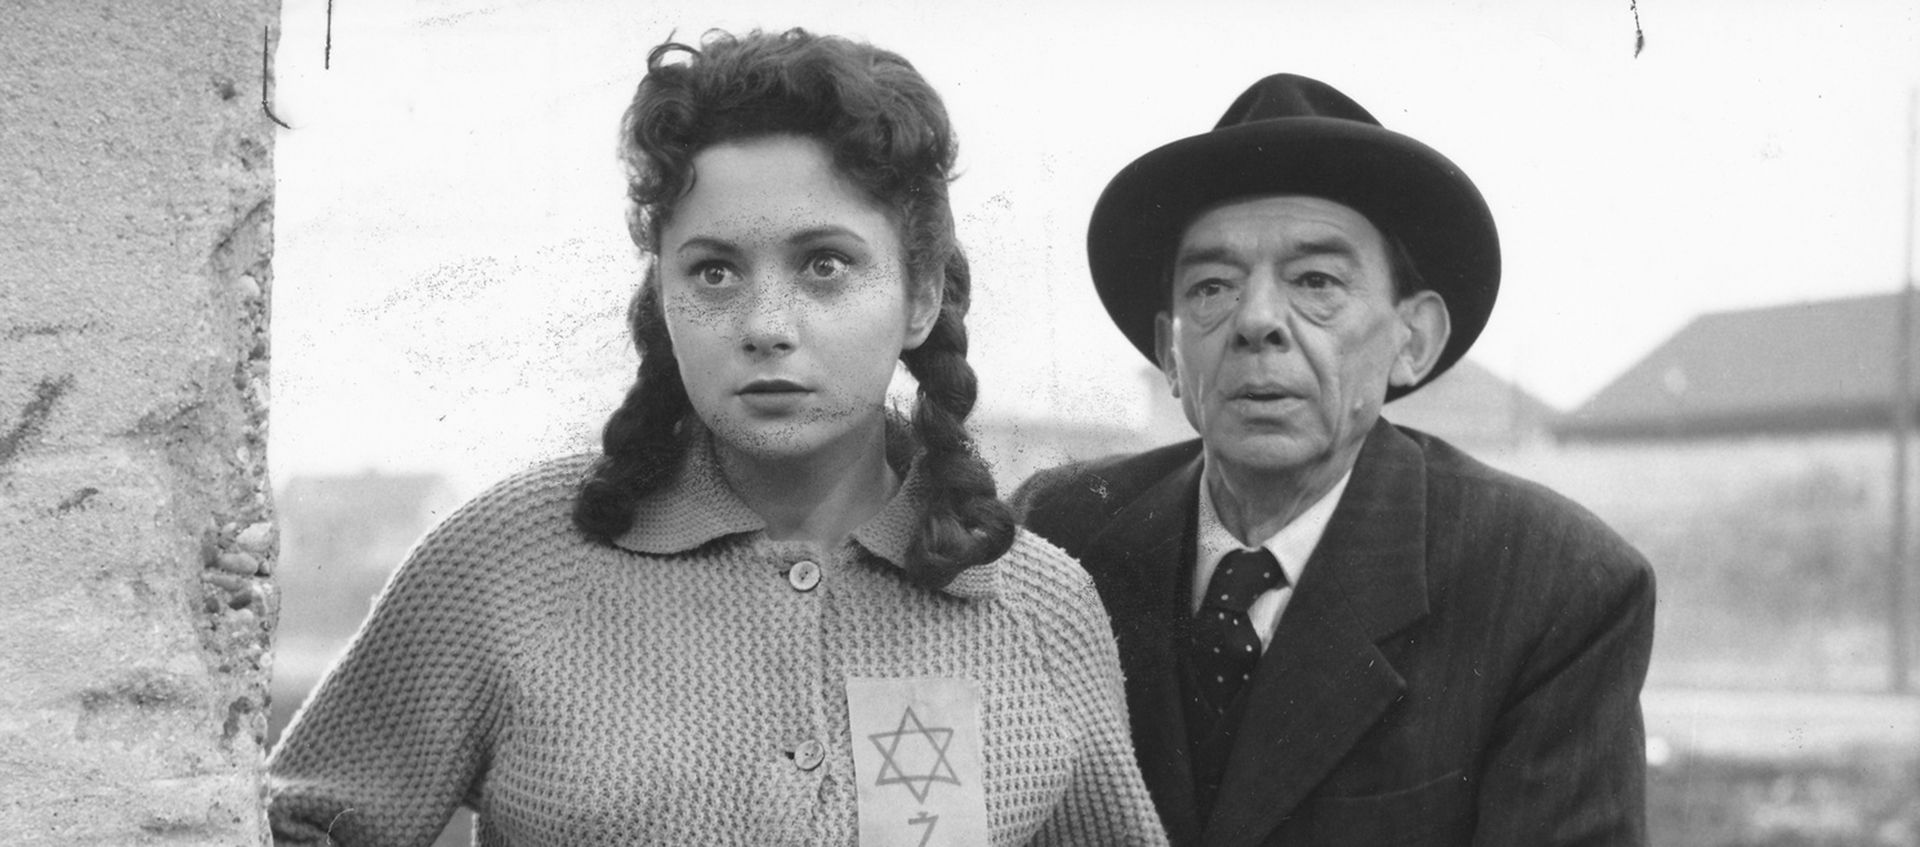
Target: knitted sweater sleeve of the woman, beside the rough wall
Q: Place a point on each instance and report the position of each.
(400, 731)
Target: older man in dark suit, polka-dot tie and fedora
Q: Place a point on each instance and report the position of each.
(1337, 631)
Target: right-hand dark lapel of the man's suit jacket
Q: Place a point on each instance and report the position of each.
(1326, 683)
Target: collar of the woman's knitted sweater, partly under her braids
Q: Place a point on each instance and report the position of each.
(700, 508)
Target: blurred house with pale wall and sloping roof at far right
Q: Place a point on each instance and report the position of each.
(1752, 460)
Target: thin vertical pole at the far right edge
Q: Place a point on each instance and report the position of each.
(1900, 616)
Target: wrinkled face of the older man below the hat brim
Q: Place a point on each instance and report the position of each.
(1284, 335)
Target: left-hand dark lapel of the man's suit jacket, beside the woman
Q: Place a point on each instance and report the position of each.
(1145, 546)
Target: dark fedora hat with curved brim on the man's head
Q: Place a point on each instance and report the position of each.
(1295, 135)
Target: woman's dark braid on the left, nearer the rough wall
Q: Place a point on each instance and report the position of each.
(642, 447)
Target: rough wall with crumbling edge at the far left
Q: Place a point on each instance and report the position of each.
(135, 537)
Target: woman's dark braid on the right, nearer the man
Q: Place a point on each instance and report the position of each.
(965, 523)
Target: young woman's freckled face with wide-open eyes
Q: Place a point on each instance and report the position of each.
(788, 301)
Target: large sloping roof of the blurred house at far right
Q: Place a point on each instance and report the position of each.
(1787, 370)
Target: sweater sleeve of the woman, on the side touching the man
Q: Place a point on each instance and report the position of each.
(1107, 800)
